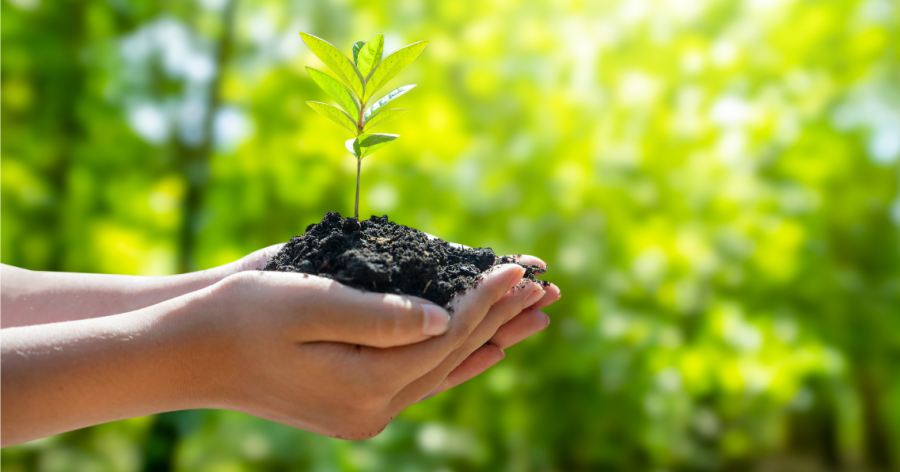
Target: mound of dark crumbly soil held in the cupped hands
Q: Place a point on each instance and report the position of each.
(381, 256)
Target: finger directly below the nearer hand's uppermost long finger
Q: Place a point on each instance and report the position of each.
(501, 312)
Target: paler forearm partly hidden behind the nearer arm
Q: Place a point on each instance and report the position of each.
(31, 298)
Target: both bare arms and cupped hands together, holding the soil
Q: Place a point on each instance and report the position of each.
(85, 349)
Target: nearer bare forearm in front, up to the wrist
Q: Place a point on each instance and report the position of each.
(64, 376)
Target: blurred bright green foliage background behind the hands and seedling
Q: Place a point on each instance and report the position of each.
(714, 185)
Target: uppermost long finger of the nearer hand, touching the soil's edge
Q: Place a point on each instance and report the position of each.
(469, 310)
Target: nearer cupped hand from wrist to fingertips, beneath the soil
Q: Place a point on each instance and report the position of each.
(315, 354)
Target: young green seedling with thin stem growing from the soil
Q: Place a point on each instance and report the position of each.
(360, 79)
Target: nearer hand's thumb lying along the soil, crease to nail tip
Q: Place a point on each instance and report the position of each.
(380, 320)
